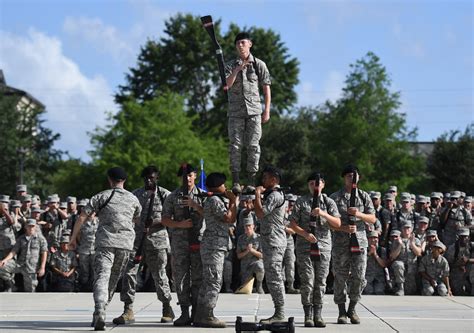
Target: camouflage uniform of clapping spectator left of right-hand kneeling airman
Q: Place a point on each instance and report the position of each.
(405, 267)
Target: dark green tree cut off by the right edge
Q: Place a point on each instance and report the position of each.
(451, 163)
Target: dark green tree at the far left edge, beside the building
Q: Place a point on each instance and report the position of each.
(25, 140)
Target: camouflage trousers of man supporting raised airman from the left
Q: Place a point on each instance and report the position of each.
(212, 270)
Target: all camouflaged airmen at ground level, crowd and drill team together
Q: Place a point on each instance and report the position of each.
(415, 245)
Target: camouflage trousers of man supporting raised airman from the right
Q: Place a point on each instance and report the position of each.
(273, 264)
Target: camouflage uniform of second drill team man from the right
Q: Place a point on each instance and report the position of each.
(313, 274)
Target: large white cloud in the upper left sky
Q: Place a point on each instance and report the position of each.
(74, 102)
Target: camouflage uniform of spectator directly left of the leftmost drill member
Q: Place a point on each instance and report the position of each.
(86, 251)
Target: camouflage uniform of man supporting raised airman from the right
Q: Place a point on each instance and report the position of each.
(273, 237)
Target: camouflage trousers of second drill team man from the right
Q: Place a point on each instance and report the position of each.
(313, 275)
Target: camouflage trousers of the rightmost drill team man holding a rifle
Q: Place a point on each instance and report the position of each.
(349, 273)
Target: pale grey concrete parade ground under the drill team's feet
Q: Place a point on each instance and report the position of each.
(56, 312)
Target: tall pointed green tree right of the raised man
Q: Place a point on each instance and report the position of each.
(364, 127)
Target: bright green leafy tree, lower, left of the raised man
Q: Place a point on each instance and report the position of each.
(156, 132)
